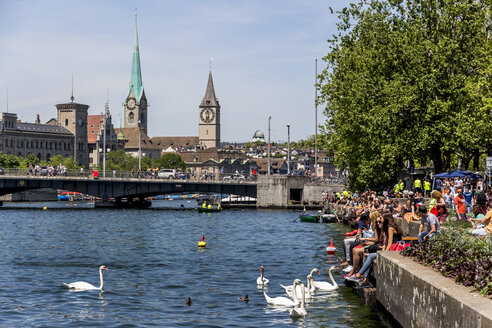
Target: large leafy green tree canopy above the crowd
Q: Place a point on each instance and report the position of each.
(408, 82)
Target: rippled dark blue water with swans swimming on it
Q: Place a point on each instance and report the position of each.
(155, 265)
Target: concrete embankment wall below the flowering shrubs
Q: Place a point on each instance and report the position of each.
(417, 296)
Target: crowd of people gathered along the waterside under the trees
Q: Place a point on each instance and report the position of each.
(374, 216)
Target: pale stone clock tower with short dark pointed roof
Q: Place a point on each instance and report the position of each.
(209, 126)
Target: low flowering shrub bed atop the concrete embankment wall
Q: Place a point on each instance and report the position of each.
(459, 256)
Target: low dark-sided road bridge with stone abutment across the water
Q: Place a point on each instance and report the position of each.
(270, 191)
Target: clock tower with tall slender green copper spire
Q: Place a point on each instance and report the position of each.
(136, 102)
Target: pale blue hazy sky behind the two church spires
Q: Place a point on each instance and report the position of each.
(263, 65)
